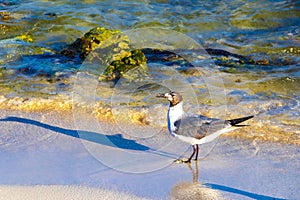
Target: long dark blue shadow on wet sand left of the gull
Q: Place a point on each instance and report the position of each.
(116, 140)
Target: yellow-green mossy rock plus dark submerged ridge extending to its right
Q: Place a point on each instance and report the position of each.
(109, 54)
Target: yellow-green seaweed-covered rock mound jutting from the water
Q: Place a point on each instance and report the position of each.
(110, 49)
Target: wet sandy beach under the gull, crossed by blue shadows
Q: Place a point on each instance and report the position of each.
(60, 156)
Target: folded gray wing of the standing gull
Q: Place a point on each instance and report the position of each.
(198, 126)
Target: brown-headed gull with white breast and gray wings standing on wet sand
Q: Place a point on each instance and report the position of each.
(195, 129)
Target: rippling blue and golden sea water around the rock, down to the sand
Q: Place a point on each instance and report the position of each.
(34, 77)
